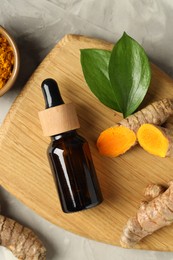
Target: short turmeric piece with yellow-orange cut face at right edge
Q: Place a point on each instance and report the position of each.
(156, 140)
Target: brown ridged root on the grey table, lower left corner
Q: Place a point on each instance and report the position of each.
(22, 241)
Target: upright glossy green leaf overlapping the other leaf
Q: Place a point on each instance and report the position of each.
(129, 73)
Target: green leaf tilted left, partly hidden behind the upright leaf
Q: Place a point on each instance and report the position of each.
(95, 69)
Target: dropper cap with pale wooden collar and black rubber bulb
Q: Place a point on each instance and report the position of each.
(58, 117)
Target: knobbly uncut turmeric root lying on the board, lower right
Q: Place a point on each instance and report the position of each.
(151, 216)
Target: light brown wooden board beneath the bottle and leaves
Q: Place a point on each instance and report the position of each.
(24, 169)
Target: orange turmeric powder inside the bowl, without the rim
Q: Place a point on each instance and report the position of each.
(6, 60)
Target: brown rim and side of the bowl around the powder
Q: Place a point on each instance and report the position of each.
(10, 82)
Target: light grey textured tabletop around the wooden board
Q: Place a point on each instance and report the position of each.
(37, 26)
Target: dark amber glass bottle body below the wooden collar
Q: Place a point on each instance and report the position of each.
(74, 172)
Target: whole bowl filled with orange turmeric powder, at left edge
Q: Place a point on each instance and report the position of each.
(9, 61)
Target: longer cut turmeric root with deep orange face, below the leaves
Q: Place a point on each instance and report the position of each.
(120, 138)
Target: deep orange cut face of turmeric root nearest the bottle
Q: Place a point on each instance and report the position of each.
(115, 141)
